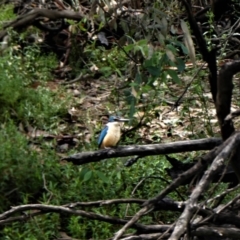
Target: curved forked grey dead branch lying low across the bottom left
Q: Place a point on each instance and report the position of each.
(6, 217)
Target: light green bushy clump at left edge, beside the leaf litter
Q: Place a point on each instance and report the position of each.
(23, 76)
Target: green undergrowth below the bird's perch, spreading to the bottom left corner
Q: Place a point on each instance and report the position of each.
(30, 176)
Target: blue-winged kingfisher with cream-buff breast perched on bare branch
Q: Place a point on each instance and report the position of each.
(110, 135)
